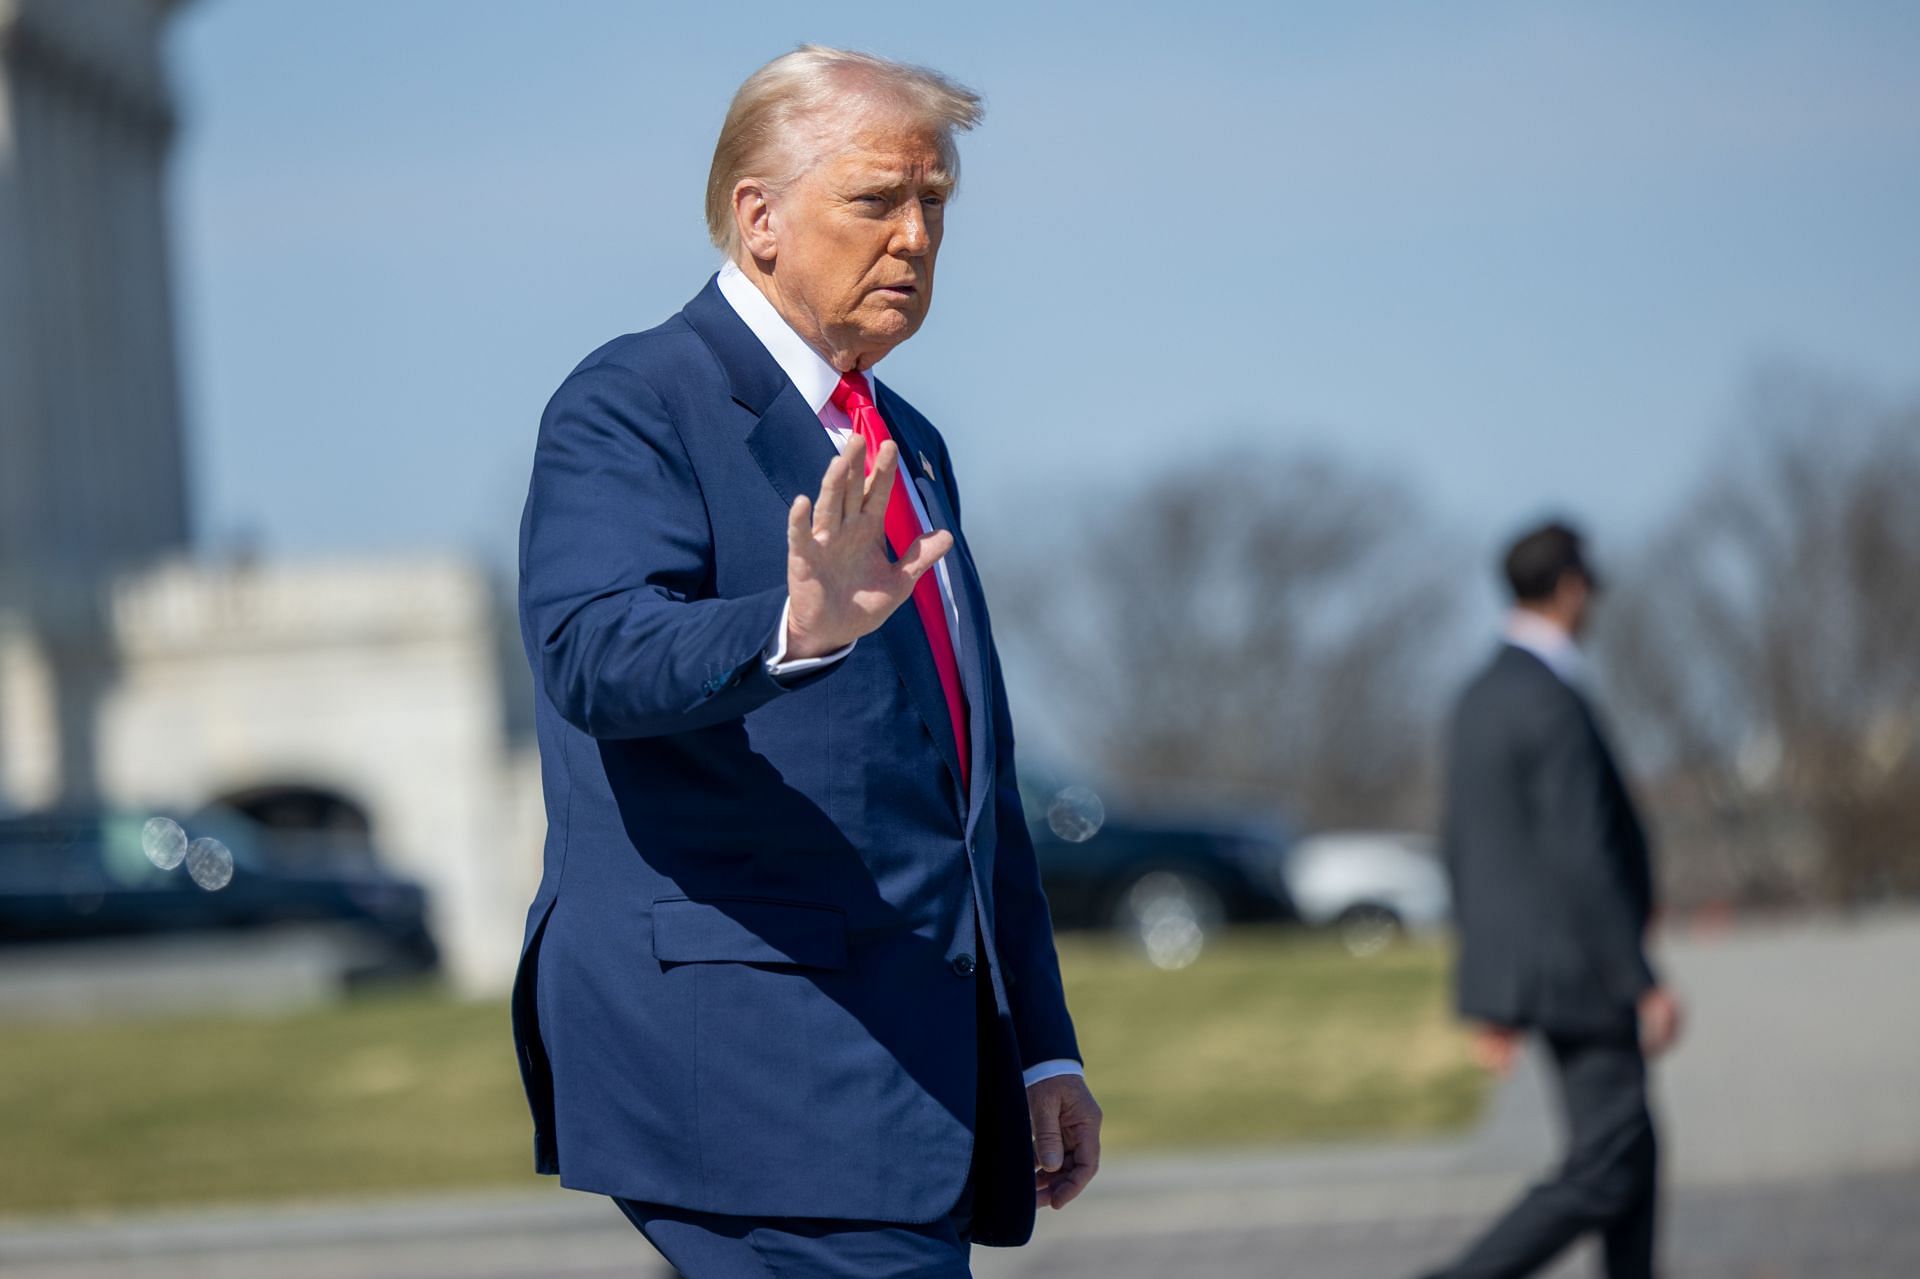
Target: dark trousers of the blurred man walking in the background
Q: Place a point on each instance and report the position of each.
(1608, 1180)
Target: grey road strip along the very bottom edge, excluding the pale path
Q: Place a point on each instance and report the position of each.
(1858, 1228)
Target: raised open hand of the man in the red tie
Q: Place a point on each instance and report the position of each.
(840, 581)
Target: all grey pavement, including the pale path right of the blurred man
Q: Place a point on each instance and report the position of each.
(1792, 1126)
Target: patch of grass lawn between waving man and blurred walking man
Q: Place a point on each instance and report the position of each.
(1270, 1038)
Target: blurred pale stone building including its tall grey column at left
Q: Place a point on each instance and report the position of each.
(372, 694)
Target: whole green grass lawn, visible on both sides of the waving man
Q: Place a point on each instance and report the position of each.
(1266, 1040)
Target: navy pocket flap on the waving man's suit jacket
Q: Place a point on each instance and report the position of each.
(748, 930)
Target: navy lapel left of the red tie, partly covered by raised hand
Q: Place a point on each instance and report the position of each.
(794, 450)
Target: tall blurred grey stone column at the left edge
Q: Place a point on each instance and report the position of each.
(91, 454)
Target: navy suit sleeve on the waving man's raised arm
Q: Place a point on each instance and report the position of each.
(617, 573)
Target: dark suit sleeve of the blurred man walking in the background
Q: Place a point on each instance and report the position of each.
(1581, 842)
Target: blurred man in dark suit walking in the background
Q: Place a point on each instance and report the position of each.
(1554, 892)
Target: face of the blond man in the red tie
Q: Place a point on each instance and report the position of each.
(857, 237)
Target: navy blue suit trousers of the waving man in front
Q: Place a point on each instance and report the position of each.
(704, 1245)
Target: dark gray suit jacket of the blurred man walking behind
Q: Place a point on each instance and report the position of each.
(1550, 865)
